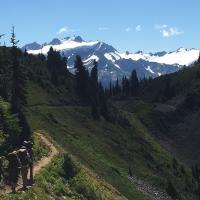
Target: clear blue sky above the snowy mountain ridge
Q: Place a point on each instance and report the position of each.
(148, 25)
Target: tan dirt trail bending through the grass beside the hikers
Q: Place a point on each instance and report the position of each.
(38, 165)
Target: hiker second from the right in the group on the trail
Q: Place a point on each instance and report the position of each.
(25, 160)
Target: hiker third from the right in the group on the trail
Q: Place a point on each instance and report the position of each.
(14, 166)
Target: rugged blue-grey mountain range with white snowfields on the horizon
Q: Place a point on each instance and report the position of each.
(113, 64)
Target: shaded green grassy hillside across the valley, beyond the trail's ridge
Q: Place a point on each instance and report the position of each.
(106, 148)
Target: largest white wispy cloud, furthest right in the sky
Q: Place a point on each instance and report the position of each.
(167, 31)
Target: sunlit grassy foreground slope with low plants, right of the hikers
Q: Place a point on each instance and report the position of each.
(52, 183)
